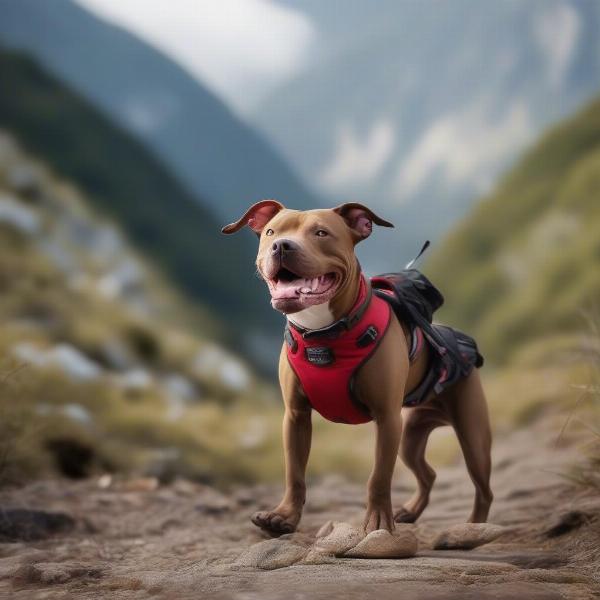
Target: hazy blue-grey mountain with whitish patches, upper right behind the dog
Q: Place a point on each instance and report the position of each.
(416, 107)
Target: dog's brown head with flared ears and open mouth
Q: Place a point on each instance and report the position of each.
(306, 257)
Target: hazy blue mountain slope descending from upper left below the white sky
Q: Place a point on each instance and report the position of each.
(211, 151)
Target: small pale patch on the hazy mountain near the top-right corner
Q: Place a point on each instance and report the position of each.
(557, 33)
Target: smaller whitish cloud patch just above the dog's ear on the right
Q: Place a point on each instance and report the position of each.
(357, 161)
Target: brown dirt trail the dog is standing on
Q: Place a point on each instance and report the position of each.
(183, 540)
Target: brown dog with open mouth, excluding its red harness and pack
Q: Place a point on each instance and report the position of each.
(307, 260)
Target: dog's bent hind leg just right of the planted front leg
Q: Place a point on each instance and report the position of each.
(415, 433)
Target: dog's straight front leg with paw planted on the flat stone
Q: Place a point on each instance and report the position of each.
(379, 515)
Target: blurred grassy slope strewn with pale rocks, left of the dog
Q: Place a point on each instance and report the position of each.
(103, 365)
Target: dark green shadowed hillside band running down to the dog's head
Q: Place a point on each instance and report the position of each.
(127, 182)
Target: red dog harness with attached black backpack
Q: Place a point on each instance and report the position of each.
(327, 361)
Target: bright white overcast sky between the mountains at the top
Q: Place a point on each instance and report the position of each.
(241, 48)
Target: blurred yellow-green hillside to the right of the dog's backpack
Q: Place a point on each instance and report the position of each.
(525, 264)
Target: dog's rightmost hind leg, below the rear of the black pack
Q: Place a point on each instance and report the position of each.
(470, 419)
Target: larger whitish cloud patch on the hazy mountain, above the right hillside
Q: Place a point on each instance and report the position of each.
(464, 149)
